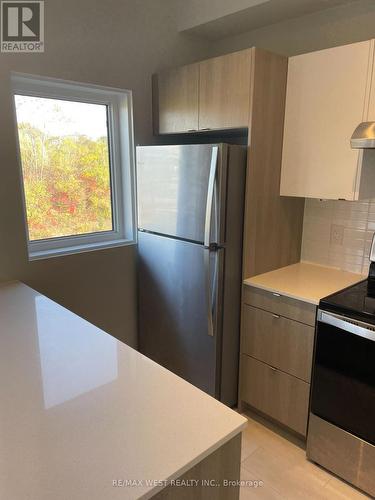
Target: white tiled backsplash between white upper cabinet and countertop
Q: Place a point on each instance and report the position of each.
(328, 223)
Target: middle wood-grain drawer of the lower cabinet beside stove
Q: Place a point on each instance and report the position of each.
(278, 341)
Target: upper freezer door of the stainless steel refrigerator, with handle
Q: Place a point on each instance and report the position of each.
(181, 191)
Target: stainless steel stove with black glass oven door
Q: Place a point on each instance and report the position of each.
(341, 430)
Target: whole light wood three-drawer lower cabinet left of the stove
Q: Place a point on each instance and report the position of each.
(277, 339)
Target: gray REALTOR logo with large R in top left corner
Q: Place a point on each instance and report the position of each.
(22, 26)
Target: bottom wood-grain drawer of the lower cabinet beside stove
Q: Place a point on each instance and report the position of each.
(275, 393)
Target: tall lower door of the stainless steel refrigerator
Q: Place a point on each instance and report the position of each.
(176, 310)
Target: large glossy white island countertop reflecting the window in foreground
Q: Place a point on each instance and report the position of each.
(79, 409)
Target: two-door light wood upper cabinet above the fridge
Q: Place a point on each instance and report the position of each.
(212, 94)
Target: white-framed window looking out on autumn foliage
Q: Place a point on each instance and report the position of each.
(77, 161)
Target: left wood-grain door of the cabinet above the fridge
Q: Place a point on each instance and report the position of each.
(176, 100)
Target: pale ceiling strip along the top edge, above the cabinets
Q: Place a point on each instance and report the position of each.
(215, 19)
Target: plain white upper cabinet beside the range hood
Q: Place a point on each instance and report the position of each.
(326, 100)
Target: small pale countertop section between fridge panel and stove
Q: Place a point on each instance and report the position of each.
(305, 281)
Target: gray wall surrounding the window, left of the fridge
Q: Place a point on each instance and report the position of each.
(104, 42)
